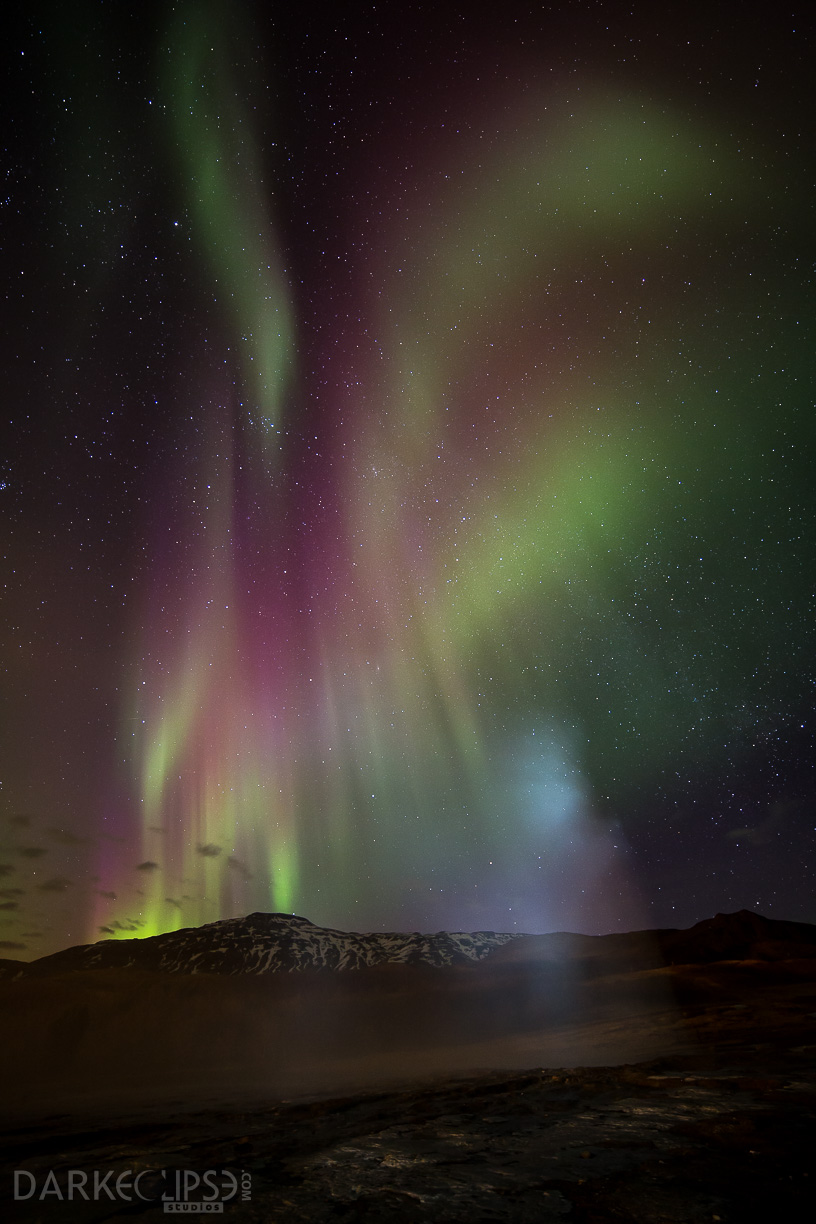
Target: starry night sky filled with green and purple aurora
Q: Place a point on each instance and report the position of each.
(407, 498)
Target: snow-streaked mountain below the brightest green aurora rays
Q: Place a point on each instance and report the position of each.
(266, 943)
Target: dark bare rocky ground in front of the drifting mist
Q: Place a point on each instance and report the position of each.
(721, 1128)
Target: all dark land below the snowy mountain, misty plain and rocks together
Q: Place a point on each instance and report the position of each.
(678, 1092)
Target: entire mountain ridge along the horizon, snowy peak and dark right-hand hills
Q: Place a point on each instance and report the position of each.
(275, 943)
